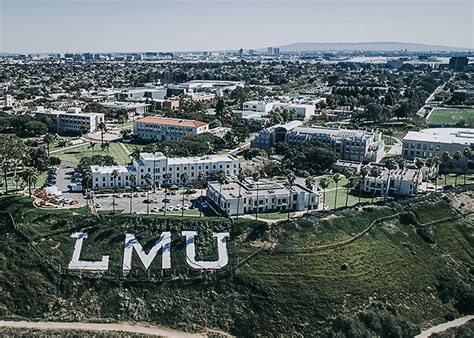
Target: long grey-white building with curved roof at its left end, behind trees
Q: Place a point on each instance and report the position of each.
(350, 145)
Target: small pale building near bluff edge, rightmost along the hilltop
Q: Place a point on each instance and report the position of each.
(402, 182)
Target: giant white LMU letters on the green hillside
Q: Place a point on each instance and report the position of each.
(163, 243)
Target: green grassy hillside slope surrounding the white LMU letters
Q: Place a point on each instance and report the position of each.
(400, 275)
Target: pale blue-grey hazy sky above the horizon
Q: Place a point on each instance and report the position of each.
(36, 26)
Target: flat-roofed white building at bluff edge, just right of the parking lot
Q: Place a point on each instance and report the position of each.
(235, 197)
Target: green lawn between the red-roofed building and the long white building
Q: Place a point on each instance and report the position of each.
(74, 155)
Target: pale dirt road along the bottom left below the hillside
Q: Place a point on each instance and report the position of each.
(121, 327)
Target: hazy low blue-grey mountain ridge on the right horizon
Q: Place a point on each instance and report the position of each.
(364, 46)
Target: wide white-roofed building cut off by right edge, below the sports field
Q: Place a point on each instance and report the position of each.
(428, 143)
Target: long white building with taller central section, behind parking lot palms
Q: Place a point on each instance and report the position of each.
(157, 165)
